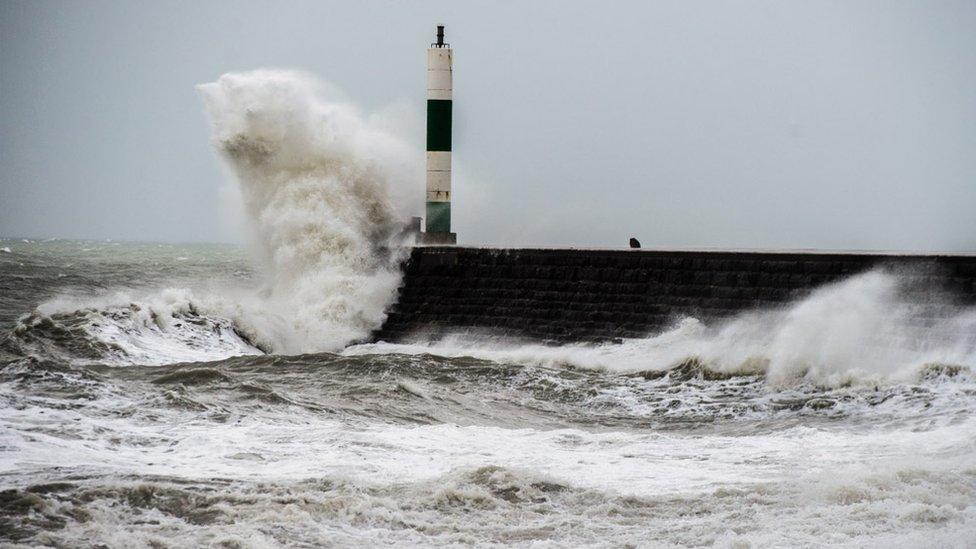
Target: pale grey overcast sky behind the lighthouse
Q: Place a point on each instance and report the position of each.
(838, 125)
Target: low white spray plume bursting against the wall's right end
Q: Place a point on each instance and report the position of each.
(864, 330)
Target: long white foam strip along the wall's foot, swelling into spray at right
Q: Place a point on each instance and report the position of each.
(856, 331)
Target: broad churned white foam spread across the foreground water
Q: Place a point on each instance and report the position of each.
(799, 485)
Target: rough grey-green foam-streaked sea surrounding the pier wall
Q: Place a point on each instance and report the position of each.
(140, 407)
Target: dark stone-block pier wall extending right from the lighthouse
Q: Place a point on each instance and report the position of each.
(560, 295)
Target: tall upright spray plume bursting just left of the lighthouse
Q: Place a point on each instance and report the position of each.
(317, 182)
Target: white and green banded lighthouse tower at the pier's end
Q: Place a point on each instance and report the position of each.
(439, 68)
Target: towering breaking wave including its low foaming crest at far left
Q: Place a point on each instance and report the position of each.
(319, 187)
